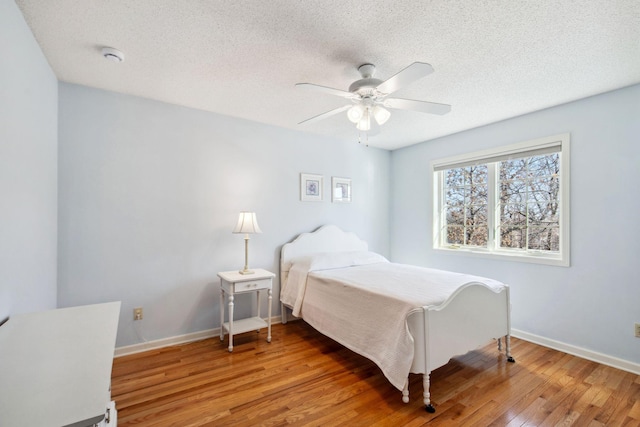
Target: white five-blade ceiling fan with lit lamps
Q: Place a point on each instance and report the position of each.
(368, 96)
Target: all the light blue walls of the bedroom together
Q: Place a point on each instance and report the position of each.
(149, 192)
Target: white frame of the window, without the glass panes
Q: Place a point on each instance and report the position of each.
(560, 143)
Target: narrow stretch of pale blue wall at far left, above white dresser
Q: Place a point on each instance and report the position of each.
(28, 169)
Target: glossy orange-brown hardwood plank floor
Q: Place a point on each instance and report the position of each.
(303, 378)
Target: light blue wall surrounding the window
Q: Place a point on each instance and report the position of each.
(594, 303)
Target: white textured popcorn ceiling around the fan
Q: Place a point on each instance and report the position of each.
(493, 59)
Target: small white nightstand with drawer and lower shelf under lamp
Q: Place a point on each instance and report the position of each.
(233, 283)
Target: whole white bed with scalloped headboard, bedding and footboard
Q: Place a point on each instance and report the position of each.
(406, 319)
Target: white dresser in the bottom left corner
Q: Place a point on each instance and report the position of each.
(55, 367)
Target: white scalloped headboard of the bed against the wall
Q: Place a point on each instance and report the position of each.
(327, 238)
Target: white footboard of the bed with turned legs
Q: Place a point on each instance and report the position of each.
(470, 318)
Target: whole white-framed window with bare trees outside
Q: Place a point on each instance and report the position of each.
(508, 202)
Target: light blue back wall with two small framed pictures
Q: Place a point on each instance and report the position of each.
(149, 194)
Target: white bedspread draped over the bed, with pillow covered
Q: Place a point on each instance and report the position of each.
(364, 306)
